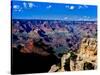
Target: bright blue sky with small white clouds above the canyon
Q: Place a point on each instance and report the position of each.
(52, 11)
